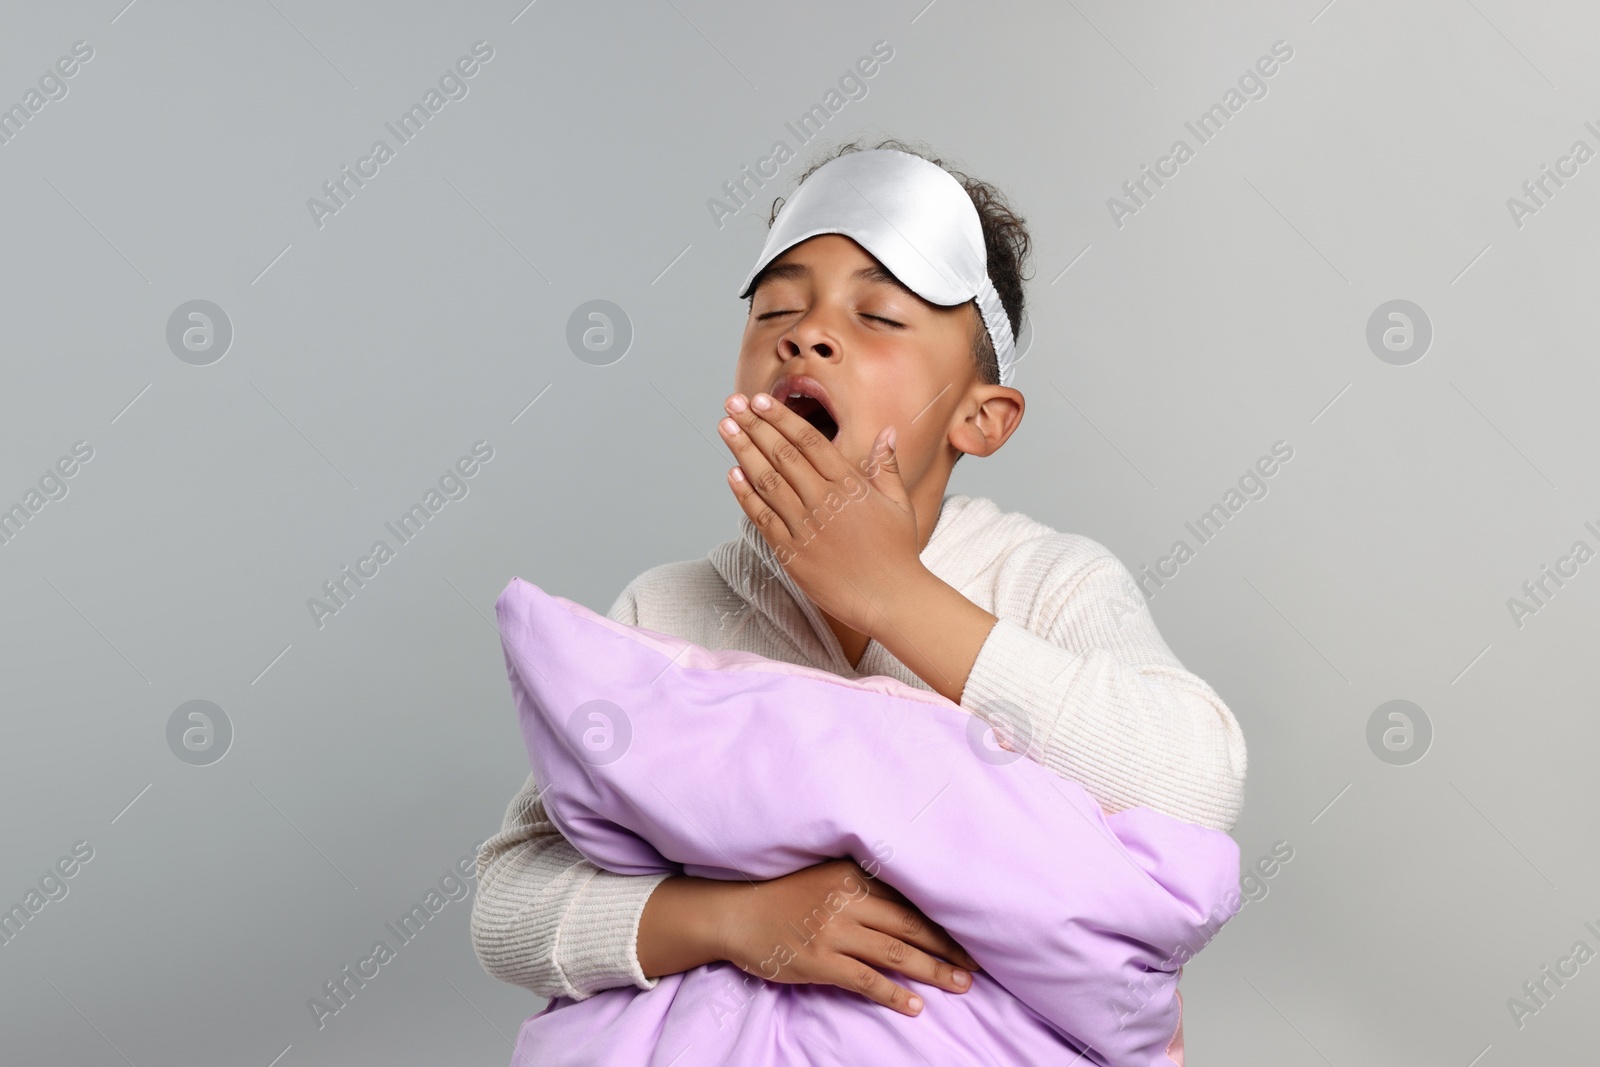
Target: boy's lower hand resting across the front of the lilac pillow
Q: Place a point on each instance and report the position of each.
(831, 924)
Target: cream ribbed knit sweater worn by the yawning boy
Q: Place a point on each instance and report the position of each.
(1074, 653)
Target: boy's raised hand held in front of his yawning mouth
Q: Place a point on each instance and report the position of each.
(847, 537)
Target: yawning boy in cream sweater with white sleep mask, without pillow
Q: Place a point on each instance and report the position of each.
(863, 378)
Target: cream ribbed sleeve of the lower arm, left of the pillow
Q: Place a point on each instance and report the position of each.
(548, 919)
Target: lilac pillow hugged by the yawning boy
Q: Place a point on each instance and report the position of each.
(658, 754)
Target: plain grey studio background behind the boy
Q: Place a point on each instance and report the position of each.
(431, 313)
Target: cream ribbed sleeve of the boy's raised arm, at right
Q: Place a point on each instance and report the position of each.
(1092, 692)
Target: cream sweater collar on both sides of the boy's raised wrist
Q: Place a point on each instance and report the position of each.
(751, 569)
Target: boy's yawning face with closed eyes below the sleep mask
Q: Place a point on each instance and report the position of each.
(887, 358)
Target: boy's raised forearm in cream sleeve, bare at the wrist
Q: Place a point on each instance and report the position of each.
(1103, 705)
